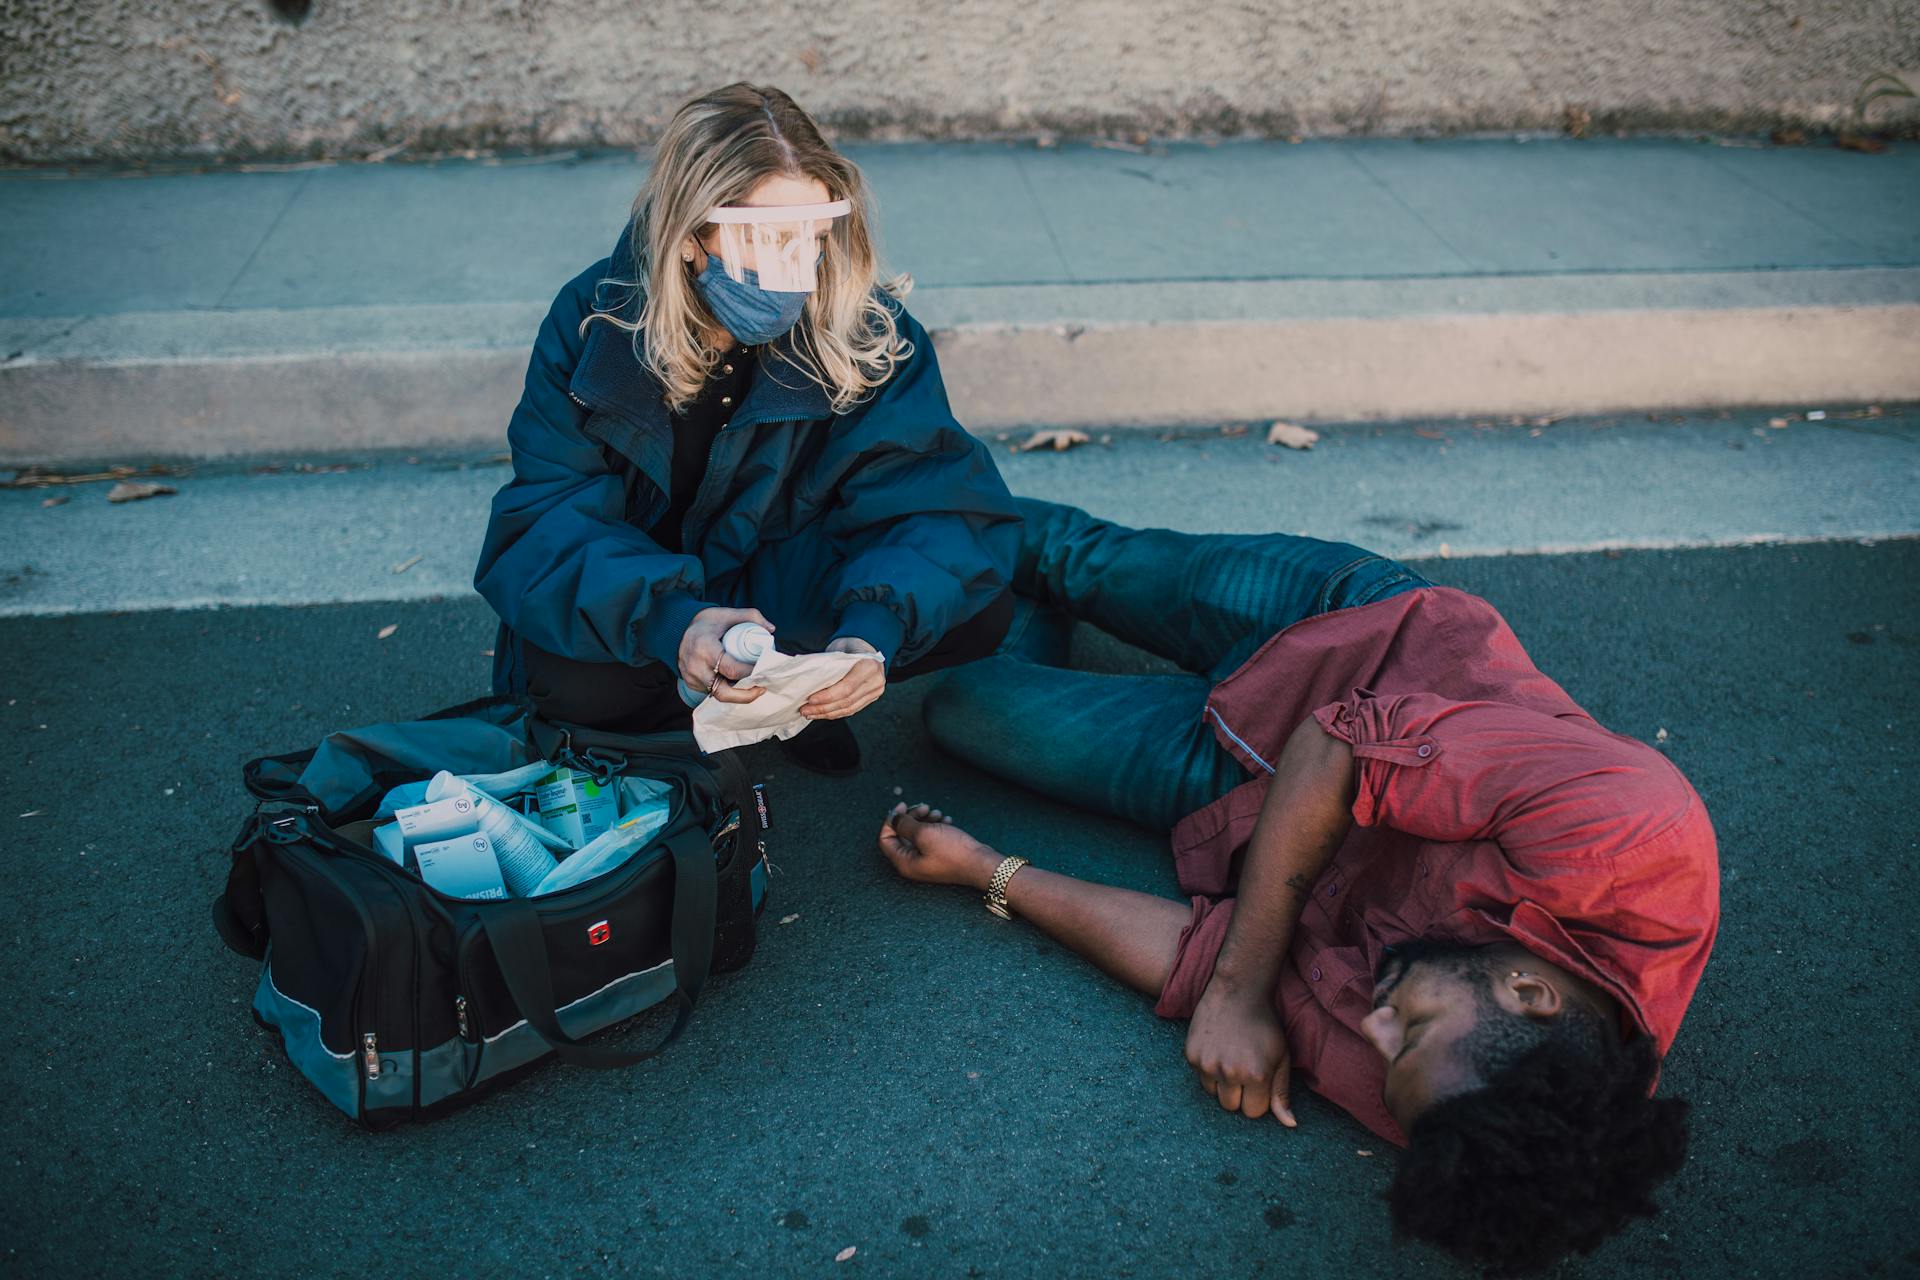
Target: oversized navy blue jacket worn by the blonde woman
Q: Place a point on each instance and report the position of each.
(888, 523)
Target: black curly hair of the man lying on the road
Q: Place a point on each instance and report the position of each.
(1556, 1152)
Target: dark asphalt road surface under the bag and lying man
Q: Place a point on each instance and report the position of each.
(898, 1072)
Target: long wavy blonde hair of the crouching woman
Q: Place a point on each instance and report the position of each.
(715, 151)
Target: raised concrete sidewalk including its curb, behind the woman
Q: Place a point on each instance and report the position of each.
(345, 308)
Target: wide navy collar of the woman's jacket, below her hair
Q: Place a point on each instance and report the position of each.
(613, 379)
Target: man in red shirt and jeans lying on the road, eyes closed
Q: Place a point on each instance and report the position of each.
(1424, 880)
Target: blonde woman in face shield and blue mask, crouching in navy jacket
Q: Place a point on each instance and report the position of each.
(696, 450)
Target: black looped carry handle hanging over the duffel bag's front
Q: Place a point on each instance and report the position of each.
(521, 953)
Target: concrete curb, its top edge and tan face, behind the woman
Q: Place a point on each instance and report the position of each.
(203, 385)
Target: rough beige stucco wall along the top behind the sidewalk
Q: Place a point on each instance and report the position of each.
(130, 80)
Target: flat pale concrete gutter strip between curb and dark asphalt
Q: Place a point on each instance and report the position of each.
(410, 527)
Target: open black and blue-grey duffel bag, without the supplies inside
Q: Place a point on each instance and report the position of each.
(398, 1001)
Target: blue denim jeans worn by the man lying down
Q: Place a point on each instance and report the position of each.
(1138, 746)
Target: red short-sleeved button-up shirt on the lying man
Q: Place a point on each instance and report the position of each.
(1489, 809)
